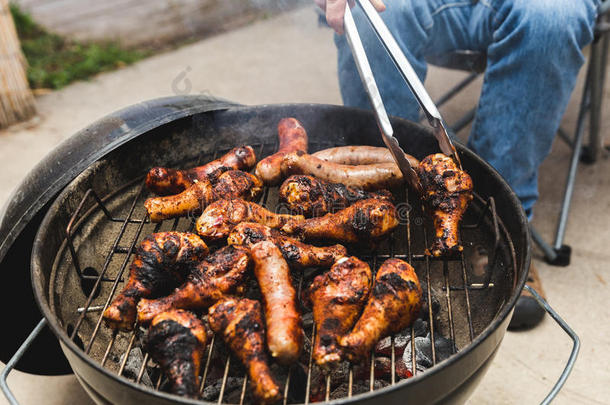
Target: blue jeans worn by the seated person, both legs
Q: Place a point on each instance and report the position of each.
(533, 50)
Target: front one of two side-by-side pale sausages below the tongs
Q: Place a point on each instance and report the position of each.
(368, 177)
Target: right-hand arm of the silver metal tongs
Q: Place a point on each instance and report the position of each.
(412, 80)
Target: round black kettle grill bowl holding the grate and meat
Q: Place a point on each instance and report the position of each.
(116, 179)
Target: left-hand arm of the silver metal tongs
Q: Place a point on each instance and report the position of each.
(368, 80)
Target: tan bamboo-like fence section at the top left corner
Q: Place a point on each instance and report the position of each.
(16, 99)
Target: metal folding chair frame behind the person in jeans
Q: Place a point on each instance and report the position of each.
(591, 104)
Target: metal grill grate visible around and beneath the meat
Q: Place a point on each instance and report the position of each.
(456, 278)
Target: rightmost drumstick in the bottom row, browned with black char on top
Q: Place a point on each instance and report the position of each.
(393, 305)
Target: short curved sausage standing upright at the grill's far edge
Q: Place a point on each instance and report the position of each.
(292, 137)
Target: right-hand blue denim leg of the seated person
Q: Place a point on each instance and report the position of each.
(533, 62)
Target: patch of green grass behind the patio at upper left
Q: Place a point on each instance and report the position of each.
(55, 61)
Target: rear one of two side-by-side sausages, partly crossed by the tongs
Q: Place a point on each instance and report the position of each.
(360, 155)
